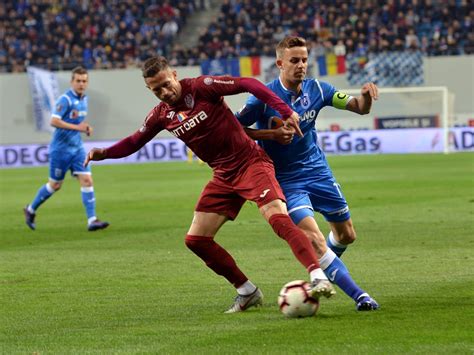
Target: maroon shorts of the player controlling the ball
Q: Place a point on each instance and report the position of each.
(226, 196)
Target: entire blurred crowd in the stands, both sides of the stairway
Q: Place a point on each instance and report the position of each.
(118, 34)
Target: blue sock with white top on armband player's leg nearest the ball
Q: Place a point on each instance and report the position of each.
(338, 274)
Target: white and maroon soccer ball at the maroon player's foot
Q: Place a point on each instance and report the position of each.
(295, 300)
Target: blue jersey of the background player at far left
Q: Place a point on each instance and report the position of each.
(71, 109)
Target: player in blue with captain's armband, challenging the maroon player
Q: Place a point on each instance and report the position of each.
(300, 165)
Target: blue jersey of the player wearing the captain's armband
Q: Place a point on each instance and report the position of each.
(302, 156)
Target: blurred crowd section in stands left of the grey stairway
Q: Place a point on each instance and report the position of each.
(62, 34)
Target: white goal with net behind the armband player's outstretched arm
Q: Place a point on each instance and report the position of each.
(429, 107)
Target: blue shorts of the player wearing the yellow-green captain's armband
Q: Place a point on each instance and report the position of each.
(323, 195)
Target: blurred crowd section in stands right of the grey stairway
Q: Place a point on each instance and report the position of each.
(252, 27)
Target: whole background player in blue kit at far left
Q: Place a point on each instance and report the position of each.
(66, 151)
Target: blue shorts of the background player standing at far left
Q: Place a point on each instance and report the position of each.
(60, 163)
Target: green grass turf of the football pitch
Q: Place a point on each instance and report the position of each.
(135, 288)
